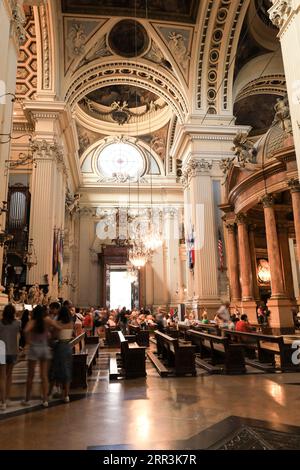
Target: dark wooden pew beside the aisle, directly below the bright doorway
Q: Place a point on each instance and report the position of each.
(133, 360)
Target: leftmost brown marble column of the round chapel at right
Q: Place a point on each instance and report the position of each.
(233, 264)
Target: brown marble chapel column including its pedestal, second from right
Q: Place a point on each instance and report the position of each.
(279, 305)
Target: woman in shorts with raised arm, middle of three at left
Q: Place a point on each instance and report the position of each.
(37, 332)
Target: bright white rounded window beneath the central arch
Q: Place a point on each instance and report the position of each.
(121, 159)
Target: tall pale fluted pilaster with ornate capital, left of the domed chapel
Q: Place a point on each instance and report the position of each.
(202, 223)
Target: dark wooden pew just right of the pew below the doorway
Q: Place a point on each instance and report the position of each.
(173, 356)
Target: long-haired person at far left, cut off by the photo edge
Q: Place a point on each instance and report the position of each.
(9, 330)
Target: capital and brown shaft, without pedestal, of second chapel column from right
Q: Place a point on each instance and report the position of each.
(273, 248)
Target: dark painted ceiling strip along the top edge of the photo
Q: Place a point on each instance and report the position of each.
(183, 11)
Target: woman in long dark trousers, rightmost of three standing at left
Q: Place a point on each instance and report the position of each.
(62, 360)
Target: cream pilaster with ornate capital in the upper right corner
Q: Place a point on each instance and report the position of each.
(285, 14)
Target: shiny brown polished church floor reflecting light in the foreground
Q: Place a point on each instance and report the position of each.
(156, 413)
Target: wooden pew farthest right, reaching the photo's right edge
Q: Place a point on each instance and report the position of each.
(267, 347)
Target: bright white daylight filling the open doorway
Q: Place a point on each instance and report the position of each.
(120, 290)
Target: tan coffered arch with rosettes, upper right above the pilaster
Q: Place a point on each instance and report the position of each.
(216, 55)
